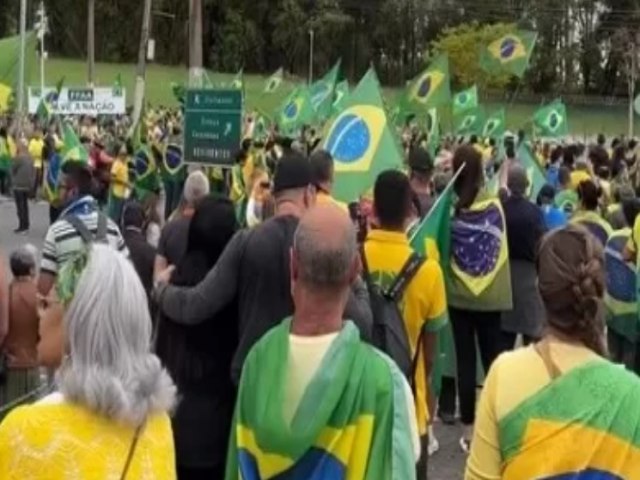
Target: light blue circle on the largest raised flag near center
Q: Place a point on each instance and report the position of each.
(350, 139)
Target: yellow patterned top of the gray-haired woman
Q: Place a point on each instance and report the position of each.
(59, 440)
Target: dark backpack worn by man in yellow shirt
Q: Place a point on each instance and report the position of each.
(389, 333)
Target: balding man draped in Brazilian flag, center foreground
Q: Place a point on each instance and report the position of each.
(313, 393)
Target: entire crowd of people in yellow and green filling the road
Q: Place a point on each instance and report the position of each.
(233, 330)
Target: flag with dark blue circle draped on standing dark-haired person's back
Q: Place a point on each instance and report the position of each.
(479, 276)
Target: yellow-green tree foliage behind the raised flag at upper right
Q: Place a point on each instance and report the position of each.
(463, 43)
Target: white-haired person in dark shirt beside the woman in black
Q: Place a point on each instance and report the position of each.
(173, 240)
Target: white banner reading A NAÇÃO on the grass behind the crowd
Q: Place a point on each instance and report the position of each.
(81, 101)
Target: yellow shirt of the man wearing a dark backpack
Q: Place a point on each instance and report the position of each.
(423, 304)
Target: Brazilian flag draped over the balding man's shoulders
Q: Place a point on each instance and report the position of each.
(351, 421)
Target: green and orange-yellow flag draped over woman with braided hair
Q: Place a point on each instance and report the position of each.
(585, 424)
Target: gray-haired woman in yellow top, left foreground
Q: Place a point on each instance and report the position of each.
(109, 417)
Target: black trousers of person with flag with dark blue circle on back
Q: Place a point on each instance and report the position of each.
(467, 325)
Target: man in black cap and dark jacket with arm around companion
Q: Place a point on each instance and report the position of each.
(254, 270)
